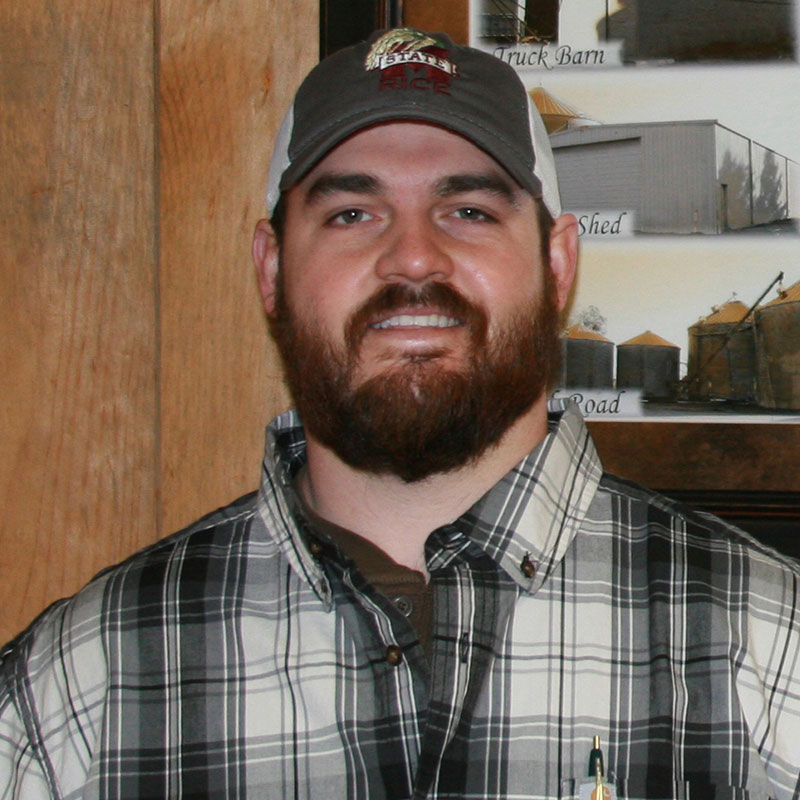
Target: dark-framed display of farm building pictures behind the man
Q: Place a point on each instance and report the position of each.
(674, 128)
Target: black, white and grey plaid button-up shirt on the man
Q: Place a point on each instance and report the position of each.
(247, 657)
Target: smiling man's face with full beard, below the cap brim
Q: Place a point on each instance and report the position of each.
(414, 313)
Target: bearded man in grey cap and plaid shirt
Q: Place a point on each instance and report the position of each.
(436, 591)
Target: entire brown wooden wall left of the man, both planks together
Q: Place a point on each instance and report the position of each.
(136, 374)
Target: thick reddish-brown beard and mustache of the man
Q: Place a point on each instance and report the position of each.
(418, 418)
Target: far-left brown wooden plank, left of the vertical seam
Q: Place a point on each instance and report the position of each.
(77, 454)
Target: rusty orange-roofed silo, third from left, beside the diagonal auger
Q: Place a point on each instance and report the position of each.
(722, 359)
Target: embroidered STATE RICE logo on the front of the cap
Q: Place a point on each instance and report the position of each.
(411, 59)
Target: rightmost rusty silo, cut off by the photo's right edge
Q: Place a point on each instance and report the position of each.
(777, 336)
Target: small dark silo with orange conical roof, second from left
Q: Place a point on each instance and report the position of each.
(650, 363)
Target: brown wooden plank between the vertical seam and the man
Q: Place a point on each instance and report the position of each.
(228, 70)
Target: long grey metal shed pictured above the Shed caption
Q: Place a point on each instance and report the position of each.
(674, 177)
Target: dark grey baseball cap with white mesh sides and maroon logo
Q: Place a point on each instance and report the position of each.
(406, 74)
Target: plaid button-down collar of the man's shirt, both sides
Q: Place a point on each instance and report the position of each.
(525, 523)
